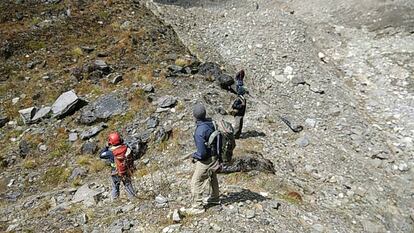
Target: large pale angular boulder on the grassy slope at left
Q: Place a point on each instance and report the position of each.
(65, 104)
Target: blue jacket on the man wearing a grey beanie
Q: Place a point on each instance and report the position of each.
(201, 135)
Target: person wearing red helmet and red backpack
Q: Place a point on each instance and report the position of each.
(122, 163)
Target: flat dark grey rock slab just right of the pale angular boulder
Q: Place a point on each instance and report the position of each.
(102, 109)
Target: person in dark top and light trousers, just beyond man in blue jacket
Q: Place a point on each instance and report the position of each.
(238, 111)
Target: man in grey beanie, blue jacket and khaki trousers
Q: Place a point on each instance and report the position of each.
(204, 160)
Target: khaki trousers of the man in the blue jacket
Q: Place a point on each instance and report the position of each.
(203, 175)
